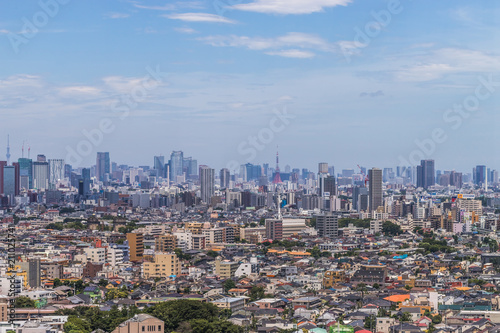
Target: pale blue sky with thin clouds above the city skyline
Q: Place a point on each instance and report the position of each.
(379, 83)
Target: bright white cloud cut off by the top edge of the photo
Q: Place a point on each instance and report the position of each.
(290, 6)
